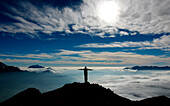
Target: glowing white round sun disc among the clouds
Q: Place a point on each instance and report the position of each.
(108, 11)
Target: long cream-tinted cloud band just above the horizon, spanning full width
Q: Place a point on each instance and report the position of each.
(89, 57)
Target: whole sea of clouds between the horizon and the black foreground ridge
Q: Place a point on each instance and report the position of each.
(131, 84)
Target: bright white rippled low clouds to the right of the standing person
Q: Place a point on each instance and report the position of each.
(137, 85)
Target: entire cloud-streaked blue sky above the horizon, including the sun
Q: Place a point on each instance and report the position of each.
(85, 32)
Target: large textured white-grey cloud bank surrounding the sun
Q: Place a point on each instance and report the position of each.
(145, 16)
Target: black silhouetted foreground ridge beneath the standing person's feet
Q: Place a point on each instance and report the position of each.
(79, 94)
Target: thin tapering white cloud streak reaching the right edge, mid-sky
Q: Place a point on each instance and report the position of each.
(162, 43)
